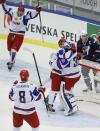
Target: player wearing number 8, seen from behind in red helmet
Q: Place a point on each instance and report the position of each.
(23, 93)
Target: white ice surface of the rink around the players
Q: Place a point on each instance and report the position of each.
(87, 117)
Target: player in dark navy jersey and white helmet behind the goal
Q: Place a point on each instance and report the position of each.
(87, 46)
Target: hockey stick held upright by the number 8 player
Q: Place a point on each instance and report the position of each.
(30, 51)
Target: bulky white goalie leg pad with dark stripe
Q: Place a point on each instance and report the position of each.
(68, 101)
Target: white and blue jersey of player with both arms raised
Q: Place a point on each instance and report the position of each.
(18, 24)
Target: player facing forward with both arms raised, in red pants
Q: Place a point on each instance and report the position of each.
(18, 24)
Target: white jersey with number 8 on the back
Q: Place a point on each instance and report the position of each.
(24, 94)
